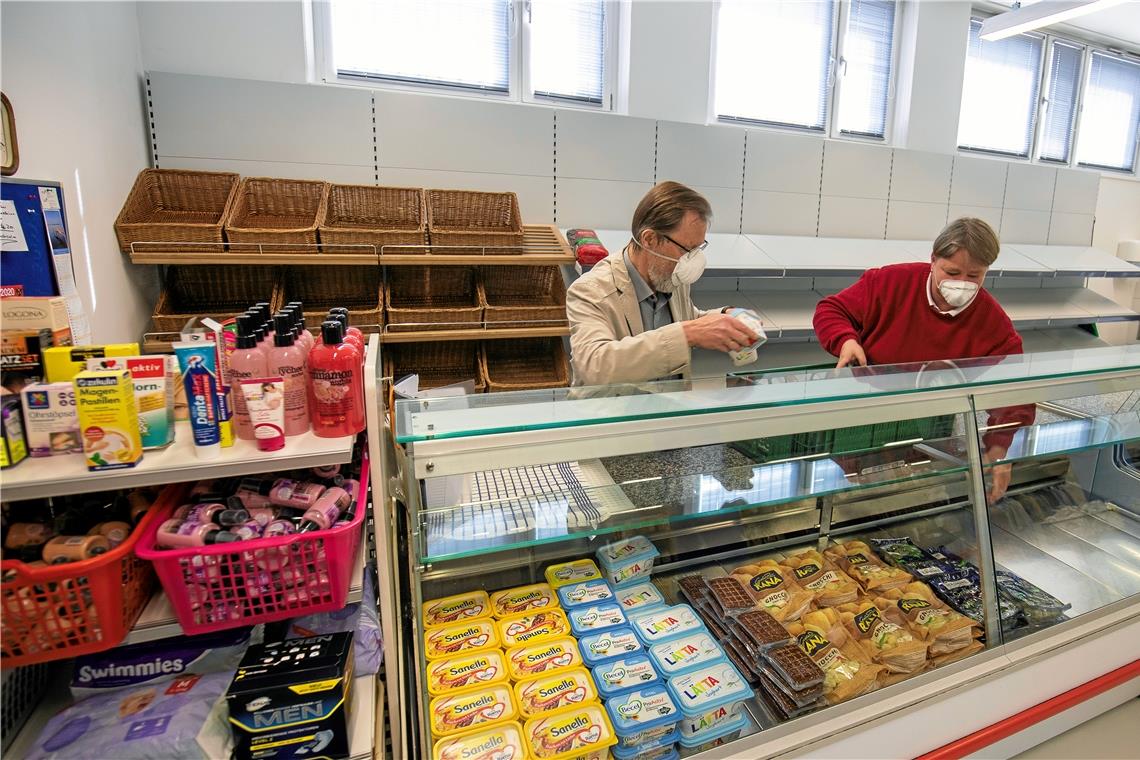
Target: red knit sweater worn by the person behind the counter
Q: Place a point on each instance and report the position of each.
(889, 314)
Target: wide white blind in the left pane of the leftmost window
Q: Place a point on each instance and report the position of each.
(463, 44)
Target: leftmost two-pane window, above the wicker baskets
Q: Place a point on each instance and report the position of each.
(518, 50)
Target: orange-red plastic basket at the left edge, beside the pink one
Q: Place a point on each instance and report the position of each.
(80, 608)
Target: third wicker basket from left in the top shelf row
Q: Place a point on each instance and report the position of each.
(384, 217)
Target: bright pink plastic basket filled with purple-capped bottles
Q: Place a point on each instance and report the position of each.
(216, 587)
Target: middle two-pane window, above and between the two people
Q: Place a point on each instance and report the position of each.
(786, 62)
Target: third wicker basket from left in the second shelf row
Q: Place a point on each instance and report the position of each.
(433, 298)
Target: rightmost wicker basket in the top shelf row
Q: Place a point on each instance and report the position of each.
(486, 224)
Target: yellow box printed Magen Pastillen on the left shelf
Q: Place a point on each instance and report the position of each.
(109, 421)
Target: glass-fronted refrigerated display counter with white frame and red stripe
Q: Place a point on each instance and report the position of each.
(488, 493)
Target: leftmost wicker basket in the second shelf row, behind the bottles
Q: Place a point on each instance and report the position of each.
(217, 292)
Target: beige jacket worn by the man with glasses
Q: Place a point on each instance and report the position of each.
(608, 340)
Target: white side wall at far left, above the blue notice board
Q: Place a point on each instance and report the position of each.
(74, 75)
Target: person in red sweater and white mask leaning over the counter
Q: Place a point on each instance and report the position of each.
(925, 313)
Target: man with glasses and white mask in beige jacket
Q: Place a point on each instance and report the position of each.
(632, 317)
